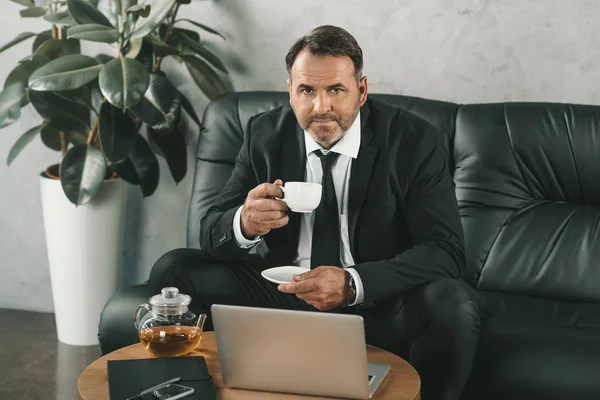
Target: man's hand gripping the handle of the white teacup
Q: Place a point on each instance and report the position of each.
(262, 212)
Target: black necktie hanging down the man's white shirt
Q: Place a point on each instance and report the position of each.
(326, 228)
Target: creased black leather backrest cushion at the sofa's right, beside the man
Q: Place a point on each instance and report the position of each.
(528, 187)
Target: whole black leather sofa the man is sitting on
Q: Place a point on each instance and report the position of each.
(527, 182)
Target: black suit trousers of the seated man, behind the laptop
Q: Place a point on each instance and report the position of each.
(435, 327)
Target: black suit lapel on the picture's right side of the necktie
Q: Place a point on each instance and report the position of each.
(362, 167)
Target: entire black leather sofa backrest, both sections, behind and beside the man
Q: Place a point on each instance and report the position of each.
(525, 182)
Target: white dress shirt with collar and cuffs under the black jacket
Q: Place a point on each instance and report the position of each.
(347, 147)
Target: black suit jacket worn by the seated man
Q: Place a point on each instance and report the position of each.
(404, 224)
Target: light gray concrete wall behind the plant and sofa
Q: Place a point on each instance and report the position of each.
(456, 50)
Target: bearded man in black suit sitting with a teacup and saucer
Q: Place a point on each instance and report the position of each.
(386, 240)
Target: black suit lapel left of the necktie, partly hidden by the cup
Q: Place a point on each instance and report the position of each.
(293, 160)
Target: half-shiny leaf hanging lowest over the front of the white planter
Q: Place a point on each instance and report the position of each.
(81, 173)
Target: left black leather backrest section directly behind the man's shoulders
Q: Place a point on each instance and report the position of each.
(224, 127)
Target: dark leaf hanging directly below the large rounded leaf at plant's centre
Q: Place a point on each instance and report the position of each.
(117, 133)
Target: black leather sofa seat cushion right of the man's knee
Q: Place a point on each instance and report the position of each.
(517, 359)
